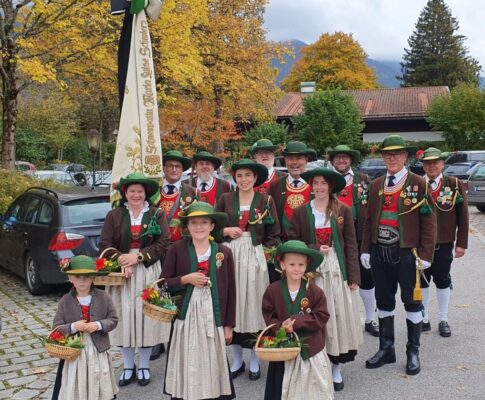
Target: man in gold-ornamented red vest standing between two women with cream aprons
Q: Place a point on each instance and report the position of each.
(291, 191)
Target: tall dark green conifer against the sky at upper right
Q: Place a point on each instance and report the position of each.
(437, 54)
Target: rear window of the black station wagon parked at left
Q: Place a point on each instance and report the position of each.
(86, 211)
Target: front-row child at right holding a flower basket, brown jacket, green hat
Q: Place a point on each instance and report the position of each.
(298, 305)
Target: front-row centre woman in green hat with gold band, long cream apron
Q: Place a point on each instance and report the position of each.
(201, 272)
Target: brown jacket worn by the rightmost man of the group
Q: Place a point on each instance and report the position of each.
(453, 221)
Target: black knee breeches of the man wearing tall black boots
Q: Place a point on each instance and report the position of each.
(391, 266)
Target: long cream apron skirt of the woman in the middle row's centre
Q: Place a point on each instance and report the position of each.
(252, 279)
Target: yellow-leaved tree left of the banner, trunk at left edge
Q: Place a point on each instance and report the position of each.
(52, 42)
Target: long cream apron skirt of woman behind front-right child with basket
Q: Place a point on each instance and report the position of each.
(343, 334)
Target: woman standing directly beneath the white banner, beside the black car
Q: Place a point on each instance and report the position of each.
(138, 237)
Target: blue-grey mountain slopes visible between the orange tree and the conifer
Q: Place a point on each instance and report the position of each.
(386, 71)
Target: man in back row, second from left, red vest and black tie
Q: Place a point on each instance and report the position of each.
(208, 187)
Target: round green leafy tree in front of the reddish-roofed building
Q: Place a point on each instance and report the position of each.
(330, 118)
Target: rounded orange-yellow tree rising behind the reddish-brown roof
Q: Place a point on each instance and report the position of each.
(334, 61)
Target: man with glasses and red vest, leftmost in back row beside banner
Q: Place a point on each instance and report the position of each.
(175, 194)
